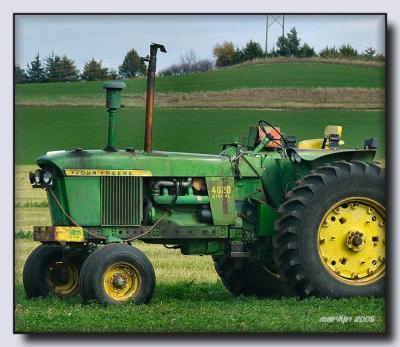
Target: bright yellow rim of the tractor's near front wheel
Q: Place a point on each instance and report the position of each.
(121, 281)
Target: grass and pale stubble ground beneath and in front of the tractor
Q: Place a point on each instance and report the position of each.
(189, 298)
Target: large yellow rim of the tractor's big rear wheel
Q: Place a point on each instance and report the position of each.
(351, 241)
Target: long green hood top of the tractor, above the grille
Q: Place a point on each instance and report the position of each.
(154, 163)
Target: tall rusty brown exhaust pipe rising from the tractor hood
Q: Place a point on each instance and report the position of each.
(151, 76)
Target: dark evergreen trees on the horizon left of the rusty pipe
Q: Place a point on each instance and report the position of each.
(57, 68)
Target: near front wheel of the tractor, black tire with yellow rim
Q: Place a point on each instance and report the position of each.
(117, 274)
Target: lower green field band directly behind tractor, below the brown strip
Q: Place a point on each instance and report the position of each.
(40, 129)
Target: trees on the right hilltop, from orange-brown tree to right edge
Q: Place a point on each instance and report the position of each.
(286, 46)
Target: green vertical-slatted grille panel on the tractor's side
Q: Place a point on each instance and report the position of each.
(121, 200)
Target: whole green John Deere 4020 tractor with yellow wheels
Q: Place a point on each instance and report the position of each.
(278, 217)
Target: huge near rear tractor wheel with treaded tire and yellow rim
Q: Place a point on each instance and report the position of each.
(330, 235)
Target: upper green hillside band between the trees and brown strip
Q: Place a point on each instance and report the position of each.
(301, 75)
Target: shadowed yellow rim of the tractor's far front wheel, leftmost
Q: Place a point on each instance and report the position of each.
(62, 279)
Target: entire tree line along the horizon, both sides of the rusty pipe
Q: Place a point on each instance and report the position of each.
(56, 68)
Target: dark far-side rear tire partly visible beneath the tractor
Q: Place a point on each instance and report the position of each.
(249, 279)
